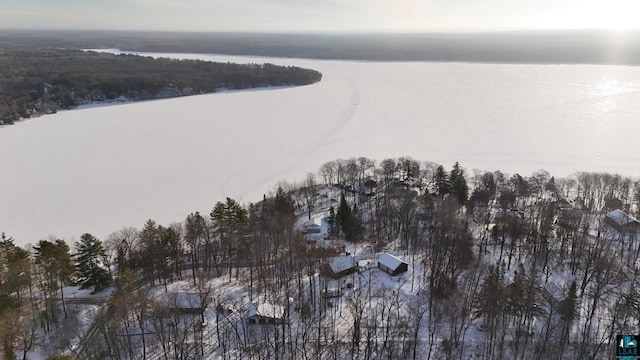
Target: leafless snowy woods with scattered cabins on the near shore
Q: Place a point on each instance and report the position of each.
(499, 267)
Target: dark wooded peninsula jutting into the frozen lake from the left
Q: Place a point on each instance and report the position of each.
(35, 82)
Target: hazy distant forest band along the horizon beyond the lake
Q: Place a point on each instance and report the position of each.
(540, 47)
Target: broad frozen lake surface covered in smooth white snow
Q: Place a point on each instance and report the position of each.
(99, 169)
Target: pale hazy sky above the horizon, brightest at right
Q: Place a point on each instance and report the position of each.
(320, 15)
